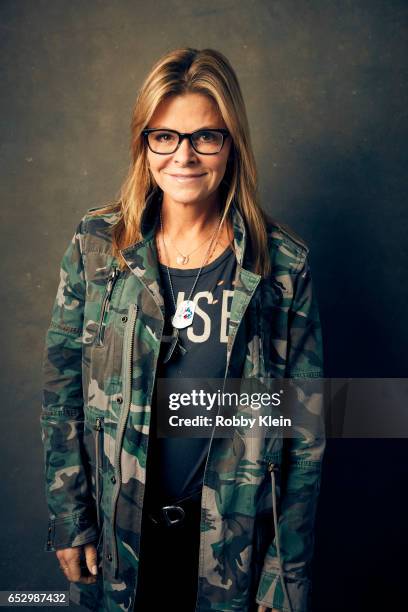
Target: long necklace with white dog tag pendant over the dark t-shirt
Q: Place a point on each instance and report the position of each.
(184, 313)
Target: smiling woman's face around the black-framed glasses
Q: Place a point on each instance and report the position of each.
(187, 176)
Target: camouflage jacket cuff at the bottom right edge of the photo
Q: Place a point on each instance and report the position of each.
(271, 595)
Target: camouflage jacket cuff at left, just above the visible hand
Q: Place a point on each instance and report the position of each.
(68, 531)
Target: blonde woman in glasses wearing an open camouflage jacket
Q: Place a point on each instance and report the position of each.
(184, 277)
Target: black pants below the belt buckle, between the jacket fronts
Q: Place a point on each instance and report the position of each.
(168, 570)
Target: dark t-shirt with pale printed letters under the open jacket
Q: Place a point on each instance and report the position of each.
(176, 465)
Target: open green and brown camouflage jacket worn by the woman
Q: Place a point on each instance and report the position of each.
(100, 359)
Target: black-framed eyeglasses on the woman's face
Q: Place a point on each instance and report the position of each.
(165, 142)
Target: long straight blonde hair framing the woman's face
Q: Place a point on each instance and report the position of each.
(178, 72)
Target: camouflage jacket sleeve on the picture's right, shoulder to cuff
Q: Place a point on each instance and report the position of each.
(289, 556)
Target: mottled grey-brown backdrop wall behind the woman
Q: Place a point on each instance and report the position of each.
(325, 87)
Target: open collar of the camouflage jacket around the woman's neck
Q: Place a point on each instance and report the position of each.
(142, 259)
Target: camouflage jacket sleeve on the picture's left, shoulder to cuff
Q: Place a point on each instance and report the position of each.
(71, 508)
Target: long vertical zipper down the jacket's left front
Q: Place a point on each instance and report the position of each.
(127, 386)
